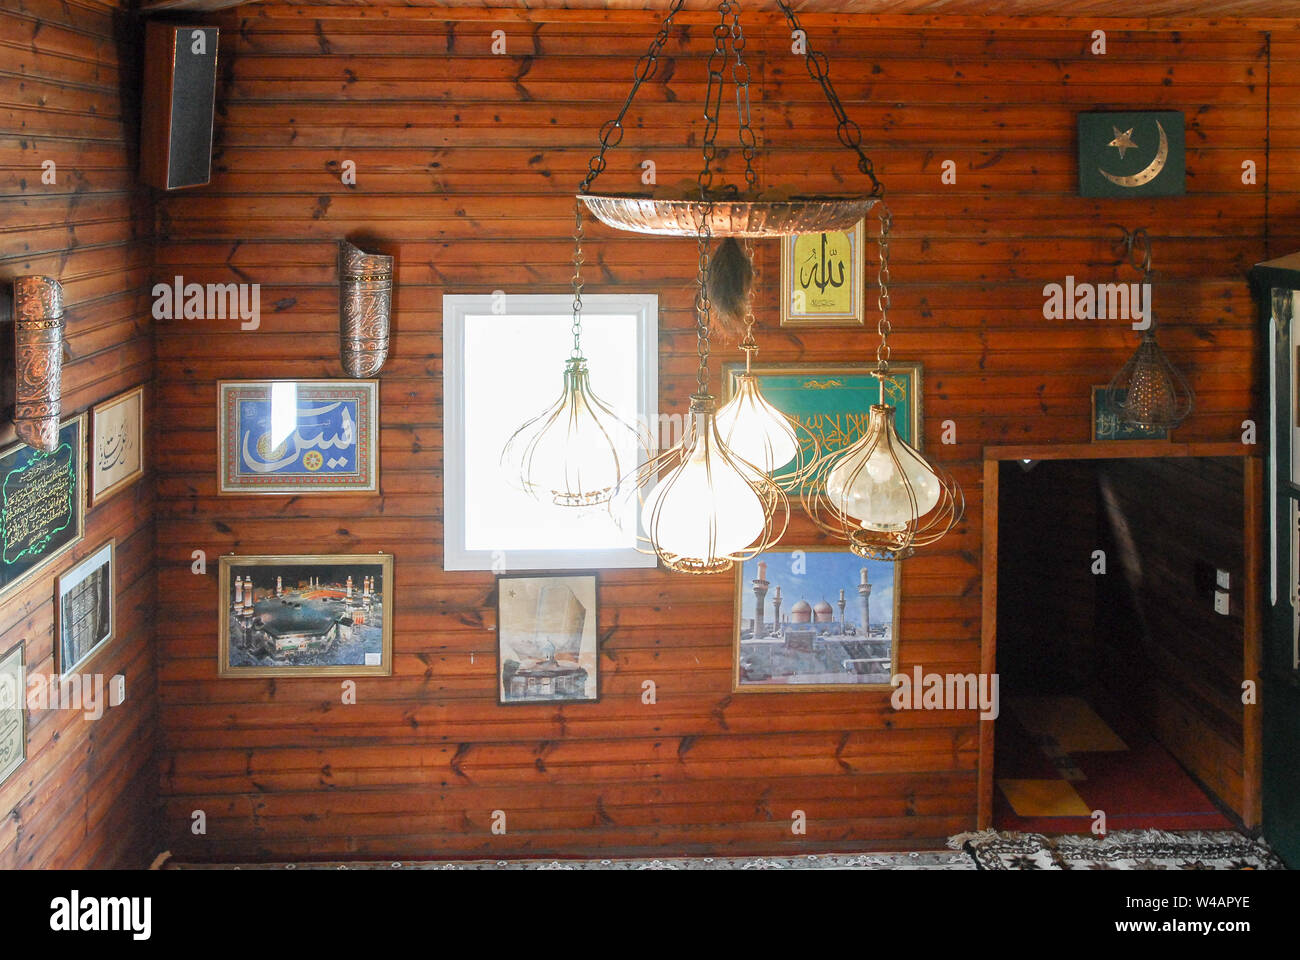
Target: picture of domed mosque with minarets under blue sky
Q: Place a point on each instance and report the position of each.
(816, 619)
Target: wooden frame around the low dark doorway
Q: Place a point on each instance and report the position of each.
(1253, 595)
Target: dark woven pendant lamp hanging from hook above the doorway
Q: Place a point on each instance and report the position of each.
(1149, 392)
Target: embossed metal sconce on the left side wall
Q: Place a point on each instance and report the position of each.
(38, 336)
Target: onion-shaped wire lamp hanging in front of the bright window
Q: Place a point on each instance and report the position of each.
(574, 453)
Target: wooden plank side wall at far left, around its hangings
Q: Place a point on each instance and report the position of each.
(86, 794)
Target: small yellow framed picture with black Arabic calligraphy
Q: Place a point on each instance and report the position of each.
(822, 279)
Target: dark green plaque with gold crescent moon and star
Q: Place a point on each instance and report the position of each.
(1134, 154)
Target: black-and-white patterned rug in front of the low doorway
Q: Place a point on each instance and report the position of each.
(1123, 850)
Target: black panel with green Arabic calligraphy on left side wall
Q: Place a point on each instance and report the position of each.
(42, 504)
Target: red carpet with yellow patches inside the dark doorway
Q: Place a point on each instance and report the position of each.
(1141, 788)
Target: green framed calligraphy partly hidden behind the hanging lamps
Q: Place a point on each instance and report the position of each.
(834, 401)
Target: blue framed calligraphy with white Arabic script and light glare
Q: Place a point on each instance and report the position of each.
(298, 436)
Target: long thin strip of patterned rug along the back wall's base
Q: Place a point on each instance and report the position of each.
(827, 862)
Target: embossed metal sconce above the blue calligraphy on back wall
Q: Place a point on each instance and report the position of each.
(365, 310)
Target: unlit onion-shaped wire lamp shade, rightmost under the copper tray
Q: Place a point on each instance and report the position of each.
(882, 496)
